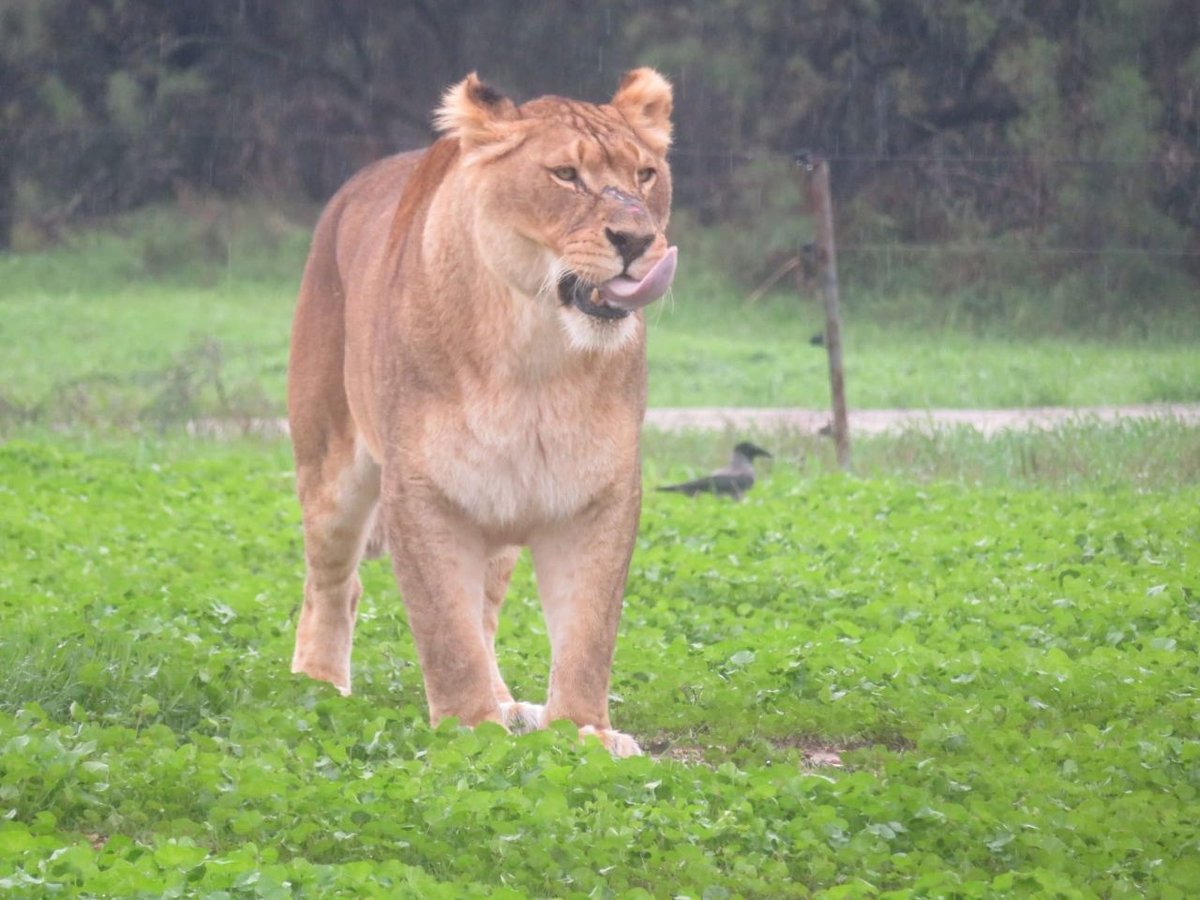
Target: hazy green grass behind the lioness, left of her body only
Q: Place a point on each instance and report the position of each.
(158, 320)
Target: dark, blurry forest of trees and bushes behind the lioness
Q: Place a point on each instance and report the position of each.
(1034, 137)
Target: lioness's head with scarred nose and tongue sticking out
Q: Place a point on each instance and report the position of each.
(571, 200)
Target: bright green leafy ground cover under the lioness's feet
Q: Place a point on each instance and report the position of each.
(1009, 677)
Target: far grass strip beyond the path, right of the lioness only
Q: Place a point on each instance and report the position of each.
(764, 359)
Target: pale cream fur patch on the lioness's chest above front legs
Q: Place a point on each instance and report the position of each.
(519, 461)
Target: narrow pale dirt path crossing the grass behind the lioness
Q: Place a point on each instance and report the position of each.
(862, 422)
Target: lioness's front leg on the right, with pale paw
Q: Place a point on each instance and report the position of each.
(581, 568)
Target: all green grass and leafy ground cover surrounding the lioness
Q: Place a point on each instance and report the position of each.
(998, 635)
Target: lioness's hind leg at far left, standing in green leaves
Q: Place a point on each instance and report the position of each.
(338, 495)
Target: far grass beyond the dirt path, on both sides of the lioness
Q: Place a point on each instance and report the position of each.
(164, 319)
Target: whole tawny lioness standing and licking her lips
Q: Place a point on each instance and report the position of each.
(469, 363)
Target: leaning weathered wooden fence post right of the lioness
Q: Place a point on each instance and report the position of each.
(821, 206)
